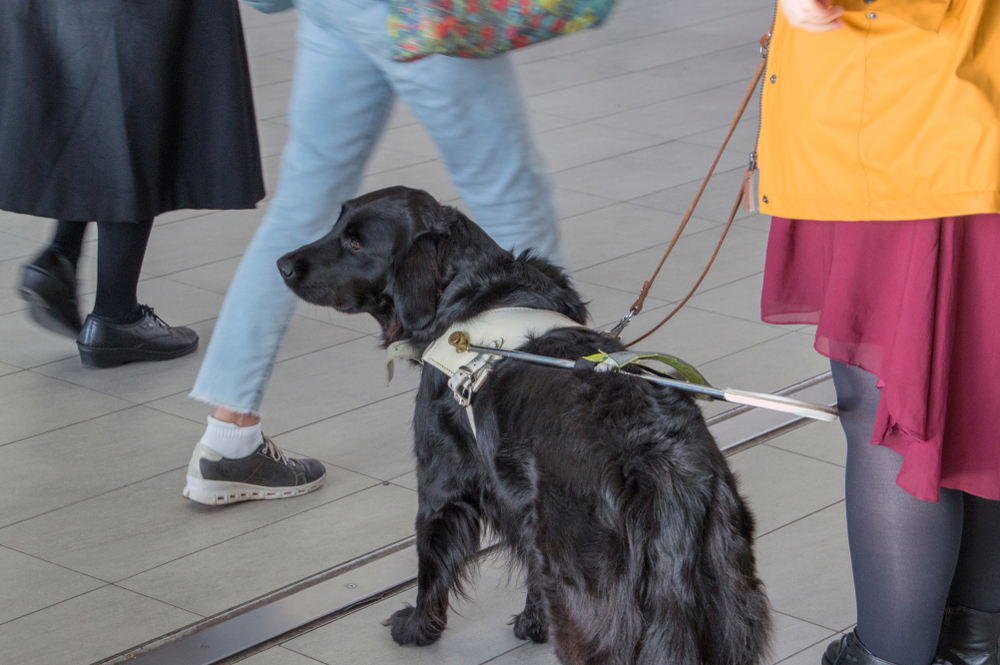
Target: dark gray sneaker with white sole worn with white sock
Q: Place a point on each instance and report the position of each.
(266, 474)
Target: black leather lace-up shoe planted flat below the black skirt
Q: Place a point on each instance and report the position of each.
(104, 344)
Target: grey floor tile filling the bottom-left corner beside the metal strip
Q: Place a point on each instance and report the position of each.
(87, 628)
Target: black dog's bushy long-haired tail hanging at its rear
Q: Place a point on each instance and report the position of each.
(701, 599)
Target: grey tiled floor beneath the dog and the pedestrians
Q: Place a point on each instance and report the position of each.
(99, 552)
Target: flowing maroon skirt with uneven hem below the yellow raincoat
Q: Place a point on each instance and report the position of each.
(916, 303)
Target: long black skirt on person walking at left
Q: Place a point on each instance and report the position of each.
(119, 110)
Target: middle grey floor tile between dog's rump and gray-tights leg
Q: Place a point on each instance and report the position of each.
(807, 569)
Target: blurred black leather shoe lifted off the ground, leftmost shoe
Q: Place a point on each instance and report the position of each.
(48, 284)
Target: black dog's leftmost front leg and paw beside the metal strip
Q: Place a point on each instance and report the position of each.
(447, 540)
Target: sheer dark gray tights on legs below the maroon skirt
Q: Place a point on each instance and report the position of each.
(909, 556)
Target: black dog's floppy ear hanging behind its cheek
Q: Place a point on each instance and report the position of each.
(413, 284)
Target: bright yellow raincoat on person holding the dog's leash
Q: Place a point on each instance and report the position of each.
(896, 116)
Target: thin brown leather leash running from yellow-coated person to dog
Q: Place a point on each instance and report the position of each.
(745, 197)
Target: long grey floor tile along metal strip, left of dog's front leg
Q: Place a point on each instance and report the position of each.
(248, 566)
